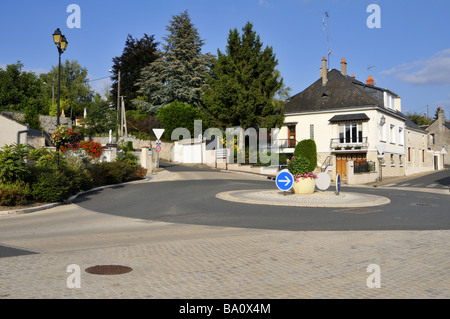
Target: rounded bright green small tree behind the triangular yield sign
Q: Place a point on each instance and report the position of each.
(178, 114)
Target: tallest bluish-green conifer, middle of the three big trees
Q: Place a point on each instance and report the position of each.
(179, 73)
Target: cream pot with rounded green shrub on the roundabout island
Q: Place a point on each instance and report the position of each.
(304, 180)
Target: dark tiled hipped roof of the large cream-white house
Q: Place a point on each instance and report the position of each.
(340, 92)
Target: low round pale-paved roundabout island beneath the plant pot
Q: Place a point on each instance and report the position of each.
(318, 199)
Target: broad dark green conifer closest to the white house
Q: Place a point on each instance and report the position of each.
(243, 83)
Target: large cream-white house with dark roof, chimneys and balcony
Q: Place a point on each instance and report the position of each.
(350, 121)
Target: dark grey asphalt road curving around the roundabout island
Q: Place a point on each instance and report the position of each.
(193, 201)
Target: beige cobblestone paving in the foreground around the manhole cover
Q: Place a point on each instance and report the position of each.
(251, 264)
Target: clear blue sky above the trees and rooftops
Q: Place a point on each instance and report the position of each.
(409, 54)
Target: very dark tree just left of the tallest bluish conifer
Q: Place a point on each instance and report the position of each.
(137, 54)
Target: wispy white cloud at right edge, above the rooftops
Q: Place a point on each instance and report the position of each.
(434, 70)
